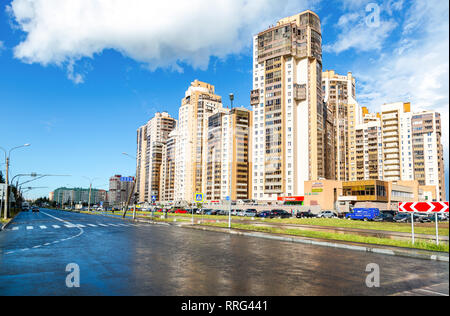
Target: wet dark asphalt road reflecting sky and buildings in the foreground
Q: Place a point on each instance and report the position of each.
(118, 258)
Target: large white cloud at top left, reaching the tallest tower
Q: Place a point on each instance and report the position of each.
(164, 34)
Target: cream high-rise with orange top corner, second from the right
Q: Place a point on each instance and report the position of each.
(397, 141)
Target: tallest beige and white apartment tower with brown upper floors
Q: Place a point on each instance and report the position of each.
(289, 113)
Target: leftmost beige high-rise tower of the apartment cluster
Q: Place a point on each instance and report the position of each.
(150, 141)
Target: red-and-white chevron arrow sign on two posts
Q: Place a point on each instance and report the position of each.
(424, 208)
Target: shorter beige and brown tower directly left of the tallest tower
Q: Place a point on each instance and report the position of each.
(228, 149)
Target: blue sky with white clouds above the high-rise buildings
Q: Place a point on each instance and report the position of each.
(78, 78)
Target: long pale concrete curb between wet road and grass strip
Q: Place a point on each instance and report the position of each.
(402, 252)
